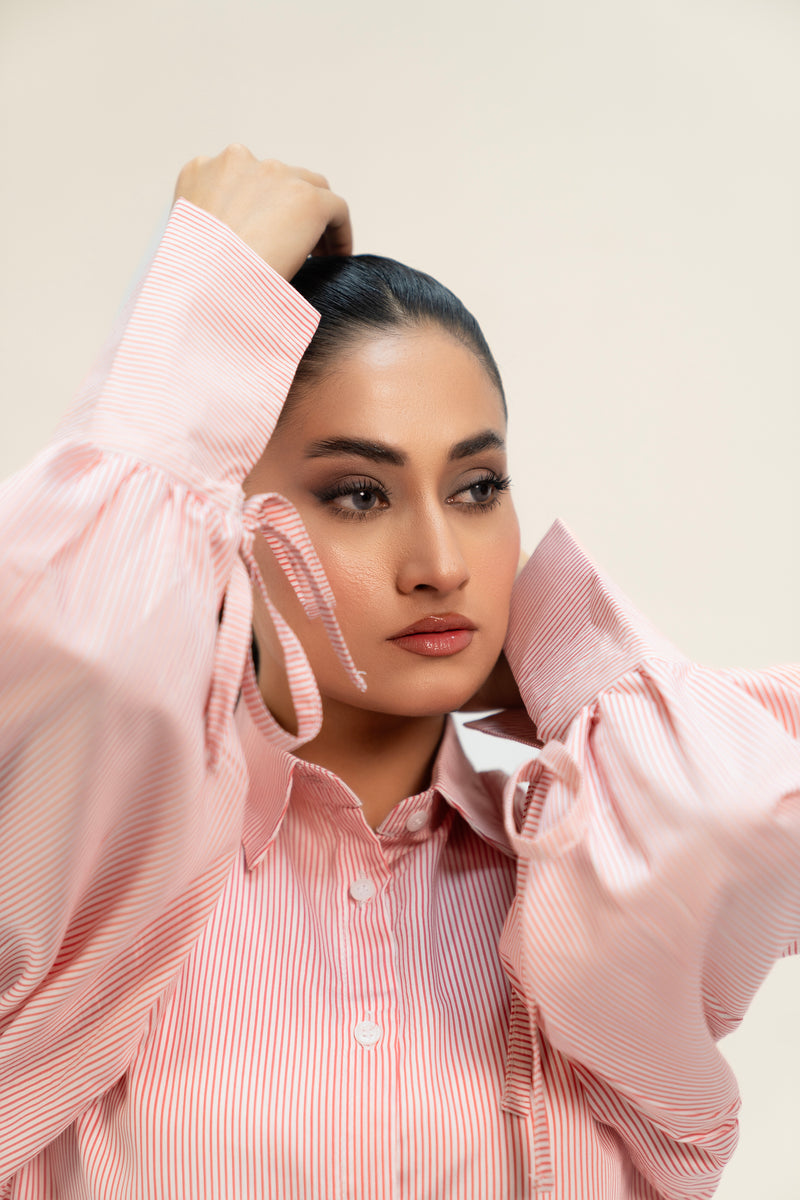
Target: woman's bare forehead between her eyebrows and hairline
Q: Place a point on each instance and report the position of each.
(401, 387)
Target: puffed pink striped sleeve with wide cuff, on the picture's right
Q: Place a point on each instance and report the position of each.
(659, 862)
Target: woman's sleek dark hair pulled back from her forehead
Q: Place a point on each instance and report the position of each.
(365, 293)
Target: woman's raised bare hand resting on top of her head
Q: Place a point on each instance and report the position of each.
(284, 213)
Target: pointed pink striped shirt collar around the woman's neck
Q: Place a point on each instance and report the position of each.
(272, 770)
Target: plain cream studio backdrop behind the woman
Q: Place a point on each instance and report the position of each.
(613, 188)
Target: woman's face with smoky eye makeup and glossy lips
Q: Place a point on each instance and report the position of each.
(396, 463)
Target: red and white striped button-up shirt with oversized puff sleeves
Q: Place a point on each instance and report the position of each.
(216, 980)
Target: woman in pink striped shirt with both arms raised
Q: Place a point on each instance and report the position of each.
(251, 925)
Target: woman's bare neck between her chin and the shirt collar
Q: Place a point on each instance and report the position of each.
(382, 758)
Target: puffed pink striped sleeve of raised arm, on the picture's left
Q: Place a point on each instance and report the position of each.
(124, 639)
